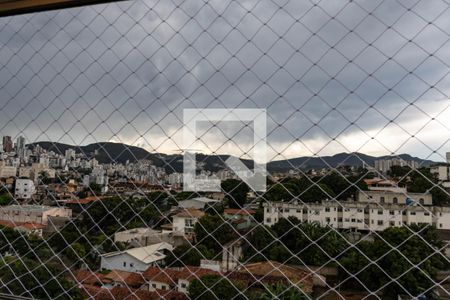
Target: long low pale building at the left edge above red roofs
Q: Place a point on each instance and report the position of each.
(38, 214)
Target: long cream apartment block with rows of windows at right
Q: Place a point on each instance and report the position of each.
(358, 216)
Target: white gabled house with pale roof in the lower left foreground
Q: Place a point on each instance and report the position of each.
(136, 259)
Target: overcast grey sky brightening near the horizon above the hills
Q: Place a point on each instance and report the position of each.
(335, 76)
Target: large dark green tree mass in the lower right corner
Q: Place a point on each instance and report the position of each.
(407, 254)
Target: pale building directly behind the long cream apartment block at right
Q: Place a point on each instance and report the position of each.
(390, 197)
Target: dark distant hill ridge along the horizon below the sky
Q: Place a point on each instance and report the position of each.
(108, 152)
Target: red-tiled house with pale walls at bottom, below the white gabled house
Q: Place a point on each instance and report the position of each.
(174, 279)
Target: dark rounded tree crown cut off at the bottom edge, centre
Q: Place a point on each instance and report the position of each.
(212, 287)
